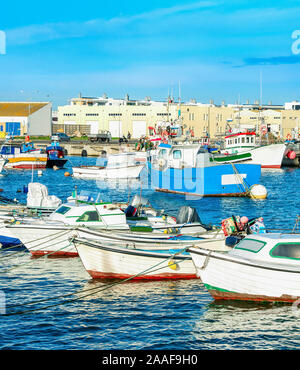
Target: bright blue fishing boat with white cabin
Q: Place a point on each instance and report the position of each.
(188, 169)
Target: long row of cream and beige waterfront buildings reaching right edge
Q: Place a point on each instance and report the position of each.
(89, 115)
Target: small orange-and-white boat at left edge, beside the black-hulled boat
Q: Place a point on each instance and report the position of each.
(25, 156)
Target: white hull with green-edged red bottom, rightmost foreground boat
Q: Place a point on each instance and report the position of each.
(230, 278)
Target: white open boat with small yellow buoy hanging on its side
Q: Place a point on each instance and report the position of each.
(103, 259)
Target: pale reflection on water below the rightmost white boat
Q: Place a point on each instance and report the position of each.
(247, 325)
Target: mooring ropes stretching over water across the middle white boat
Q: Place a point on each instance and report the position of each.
(150, 269)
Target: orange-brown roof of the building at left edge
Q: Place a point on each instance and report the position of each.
(20, 109)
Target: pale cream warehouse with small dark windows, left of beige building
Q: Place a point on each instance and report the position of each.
(89, 115)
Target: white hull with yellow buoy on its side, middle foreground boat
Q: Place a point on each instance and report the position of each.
(106, 261)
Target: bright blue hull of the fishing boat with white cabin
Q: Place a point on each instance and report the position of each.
(205, 181)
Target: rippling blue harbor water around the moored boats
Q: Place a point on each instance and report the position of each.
(141, 315)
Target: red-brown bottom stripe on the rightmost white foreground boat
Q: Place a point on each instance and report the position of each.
(219, 295)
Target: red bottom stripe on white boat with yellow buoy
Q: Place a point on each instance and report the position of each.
(111, 275)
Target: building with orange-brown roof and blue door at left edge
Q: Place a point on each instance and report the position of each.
(25, 118)
